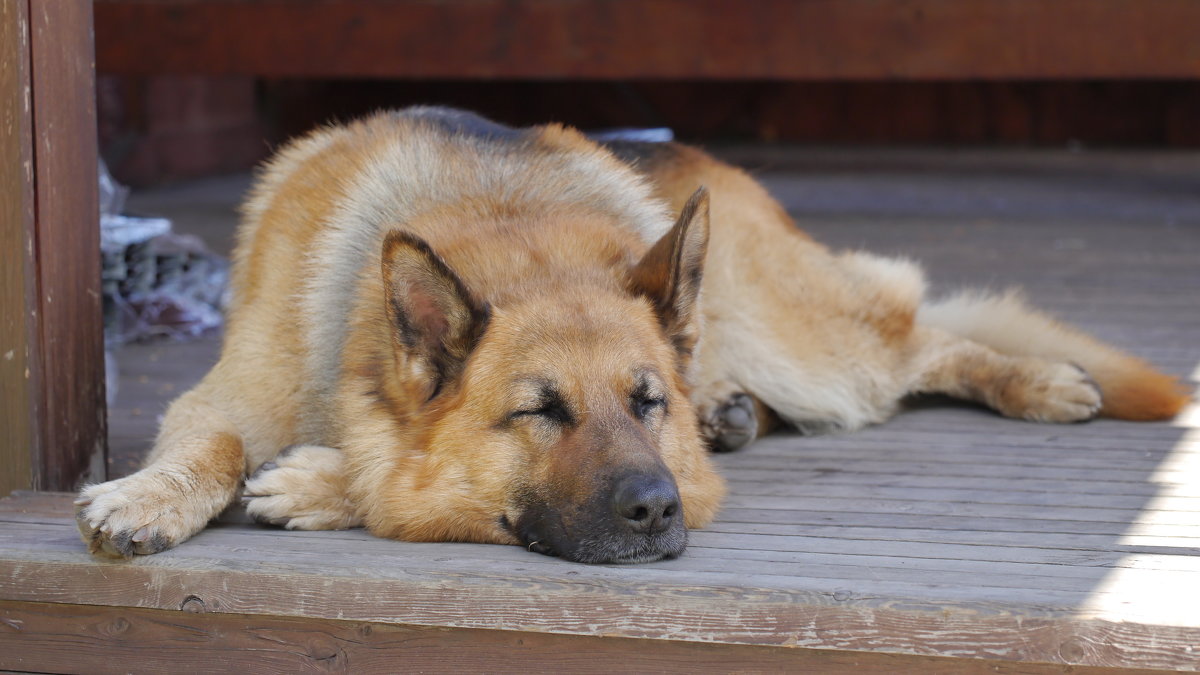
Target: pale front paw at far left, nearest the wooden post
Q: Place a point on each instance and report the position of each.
(141, 515)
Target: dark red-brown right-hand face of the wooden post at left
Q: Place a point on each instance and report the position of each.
(71, 415)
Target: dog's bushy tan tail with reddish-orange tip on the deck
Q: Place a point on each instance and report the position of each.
(1131, 387)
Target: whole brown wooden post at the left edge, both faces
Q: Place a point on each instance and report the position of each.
(52, 367)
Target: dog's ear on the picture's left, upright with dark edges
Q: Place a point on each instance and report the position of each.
(435, 320)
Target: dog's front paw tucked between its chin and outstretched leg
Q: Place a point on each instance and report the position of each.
(304, 488)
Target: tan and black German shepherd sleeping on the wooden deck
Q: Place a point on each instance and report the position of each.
(458, 331)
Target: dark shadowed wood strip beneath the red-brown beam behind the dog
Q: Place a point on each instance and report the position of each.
(940, 114)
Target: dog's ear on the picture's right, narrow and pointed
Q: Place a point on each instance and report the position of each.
(671, 271)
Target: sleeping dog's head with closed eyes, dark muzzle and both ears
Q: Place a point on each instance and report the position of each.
(560, 422)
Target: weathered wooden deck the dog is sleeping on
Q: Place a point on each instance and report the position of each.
(947, 540)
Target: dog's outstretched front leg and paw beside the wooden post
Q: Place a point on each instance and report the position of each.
(190, 477)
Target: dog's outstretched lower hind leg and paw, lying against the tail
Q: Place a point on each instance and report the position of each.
(1022, 387)
